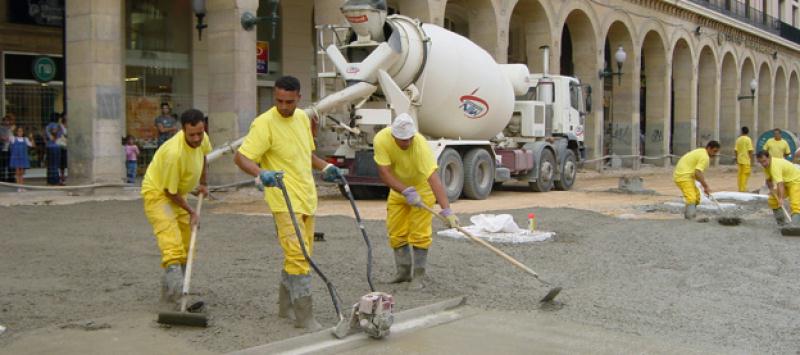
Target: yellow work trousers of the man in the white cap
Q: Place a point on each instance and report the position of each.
(407, 224)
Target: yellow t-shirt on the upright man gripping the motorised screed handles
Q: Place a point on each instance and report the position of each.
(286, 144)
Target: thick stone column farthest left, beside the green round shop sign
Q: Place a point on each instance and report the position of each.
(96, 106)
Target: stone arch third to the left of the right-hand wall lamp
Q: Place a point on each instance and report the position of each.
(682, 105)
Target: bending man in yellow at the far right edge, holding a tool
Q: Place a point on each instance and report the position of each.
(783, 180)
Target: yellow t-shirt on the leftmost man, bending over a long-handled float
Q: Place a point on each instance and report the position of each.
(176, 167)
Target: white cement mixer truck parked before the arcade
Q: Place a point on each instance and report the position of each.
(487, 123)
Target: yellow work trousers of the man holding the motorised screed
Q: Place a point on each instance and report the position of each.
(294, 263)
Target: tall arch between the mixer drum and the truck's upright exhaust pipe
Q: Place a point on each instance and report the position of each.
(529, 30)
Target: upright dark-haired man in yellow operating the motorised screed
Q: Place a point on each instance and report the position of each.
(280, 140)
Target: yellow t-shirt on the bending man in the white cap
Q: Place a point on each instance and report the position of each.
(412, 166)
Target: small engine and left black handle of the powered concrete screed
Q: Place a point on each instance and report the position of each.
(375, 305)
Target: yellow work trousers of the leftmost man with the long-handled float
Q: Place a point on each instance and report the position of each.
(170, 226)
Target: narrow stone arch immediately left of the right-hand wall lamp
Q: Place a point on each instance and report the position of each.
(729, 90)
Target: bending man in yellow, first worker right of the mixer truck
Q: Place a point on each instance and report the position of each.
(690, 168)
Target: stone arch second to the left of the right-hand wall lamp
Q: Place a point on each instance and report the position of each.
(707, 97)
